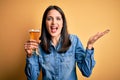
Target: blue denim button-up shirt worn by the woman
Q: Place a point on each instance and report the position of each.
(60, 66)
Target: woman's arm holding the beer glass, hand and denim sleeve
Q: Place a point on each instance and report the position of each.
(32, 68)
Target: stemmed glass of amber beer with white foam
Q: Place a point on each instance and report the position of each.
(34, 35)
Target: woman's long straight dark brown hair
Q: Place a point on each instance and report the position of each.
(46, 37)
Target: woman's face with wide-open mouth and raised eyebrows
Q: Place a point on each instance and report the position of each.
(54, 23)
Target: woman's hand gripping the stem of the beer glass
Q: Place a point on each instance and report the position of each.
(29, 46)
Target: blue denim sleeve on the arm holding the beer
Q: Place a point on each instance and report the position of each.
(32, 68)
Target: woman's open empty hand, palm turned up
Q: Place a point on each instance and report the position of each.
(94, 38)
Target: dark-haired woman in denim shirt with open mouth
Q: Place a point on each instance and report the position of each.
(58, 50)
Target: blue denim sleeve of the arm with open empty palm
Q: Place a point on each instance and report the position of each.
(84, 58)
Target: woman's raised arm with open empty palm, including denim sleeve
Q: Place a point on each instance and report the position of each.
(85, 59)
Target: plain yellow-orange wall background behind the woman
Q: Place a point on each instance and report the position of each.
(84, 18)
